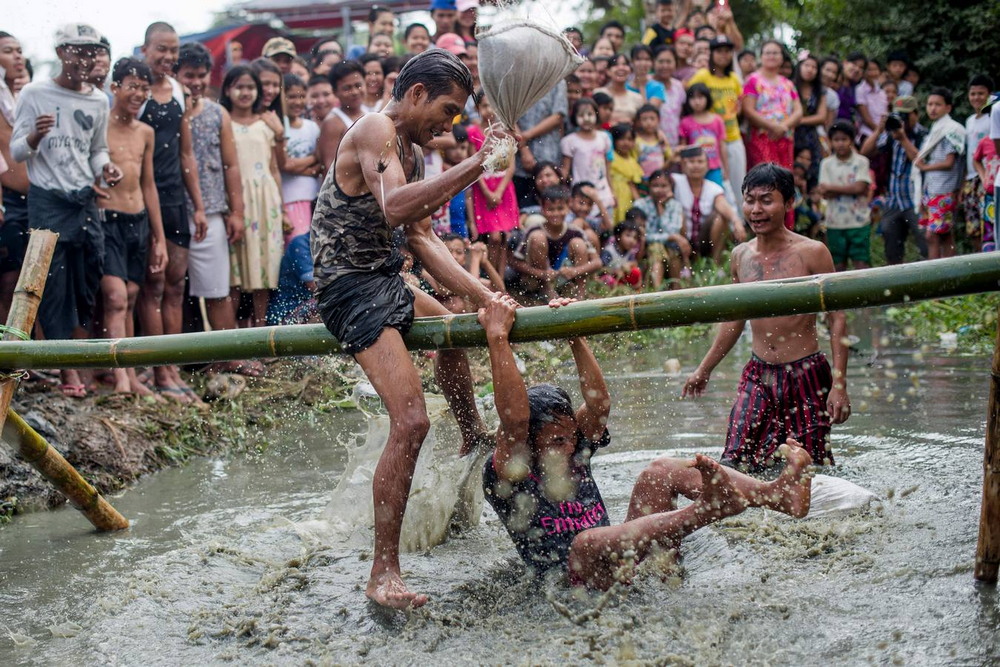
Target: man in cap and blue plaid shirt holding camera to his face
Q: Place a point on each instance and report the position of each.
(901, 143)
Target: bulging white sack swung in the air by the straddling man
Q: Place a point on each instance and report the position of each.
(520, 61)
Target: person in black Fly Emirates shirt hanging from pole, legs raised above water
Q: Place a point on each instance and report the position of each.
(539, 481)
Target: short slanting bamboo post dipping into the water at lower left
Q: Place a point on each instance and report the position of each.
(34, 449)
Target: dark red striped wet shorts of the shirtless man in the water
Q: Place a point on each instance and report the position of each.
(775, 402)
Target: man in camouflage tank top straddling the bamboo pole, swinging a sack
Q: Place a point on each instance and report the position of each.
(376, 186)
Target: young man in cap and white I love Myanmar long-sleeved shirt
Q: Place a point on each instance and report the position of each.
(60, 130)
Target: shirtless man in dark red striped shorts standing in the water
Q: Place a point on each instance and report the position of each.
(787, 389)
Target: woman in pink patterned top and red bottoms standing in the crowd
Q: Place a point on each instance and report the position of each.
(771, 105)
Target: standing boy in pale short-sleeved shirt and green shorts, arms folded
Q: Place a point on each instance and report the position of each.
(844, 182)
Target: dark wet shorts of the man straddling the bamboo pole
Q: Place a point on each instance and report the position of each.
(356, 307)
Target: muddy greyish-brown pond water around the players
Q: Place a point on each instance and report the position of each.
(216, 571)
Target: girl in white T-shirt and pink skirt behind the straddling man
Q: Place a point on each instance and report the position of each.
(299, 186)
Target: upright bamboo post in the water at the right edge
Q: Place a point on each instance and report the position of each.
(988, 548)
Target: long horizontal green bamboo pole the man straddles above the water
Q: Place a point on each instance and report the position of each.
(836, 291)
